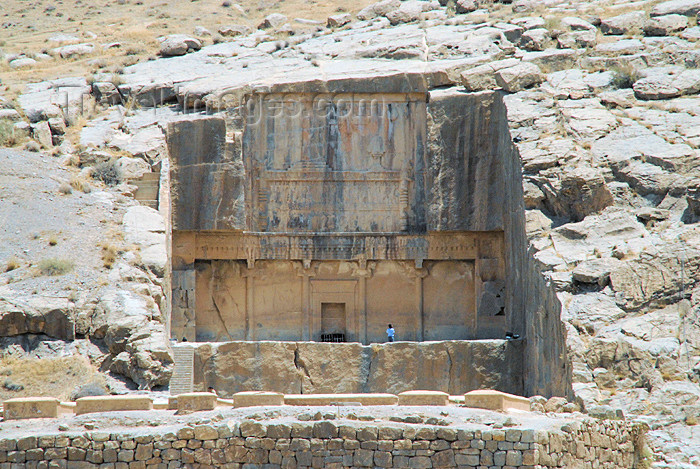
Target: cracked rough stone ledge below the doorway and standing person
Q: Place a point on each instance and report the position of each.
(293, 368)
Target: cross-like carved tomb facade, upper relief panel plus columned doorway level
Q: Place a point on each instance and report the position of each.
(336, 244)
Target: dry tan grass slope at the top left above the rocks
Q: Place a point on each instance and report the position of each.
(133, 24)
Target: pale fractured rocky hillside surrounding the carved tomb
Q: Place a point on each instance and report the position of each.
(603, 105)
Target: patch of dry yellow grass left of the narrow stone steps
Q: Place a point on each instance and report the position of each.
(54, 377)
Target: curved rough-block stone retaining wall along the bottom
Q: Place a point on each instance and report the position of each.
(331, 444)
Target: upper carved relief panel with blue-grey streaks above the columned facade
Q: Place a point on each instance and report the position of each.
(319, 163)
